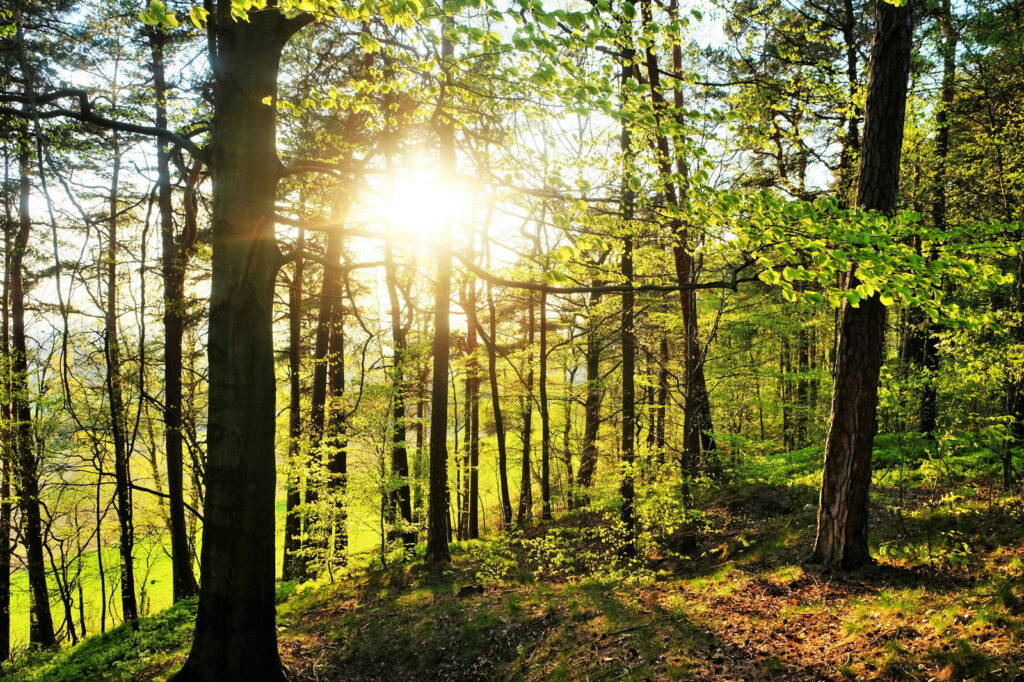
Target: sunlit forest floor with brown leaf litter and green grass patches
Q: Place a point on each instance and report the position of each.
(946, 602)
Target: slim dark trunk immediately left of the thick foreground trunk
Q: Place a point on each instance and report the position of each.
(175, 262)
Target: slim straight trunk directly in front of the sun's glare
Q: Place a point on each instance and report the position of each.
(438, 514)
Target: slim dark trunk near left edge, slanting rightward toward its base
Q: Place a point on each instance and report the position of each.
(26, 463)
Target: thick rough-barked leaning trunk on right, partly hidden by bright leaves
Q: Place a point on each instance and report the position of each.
(842, 527)
